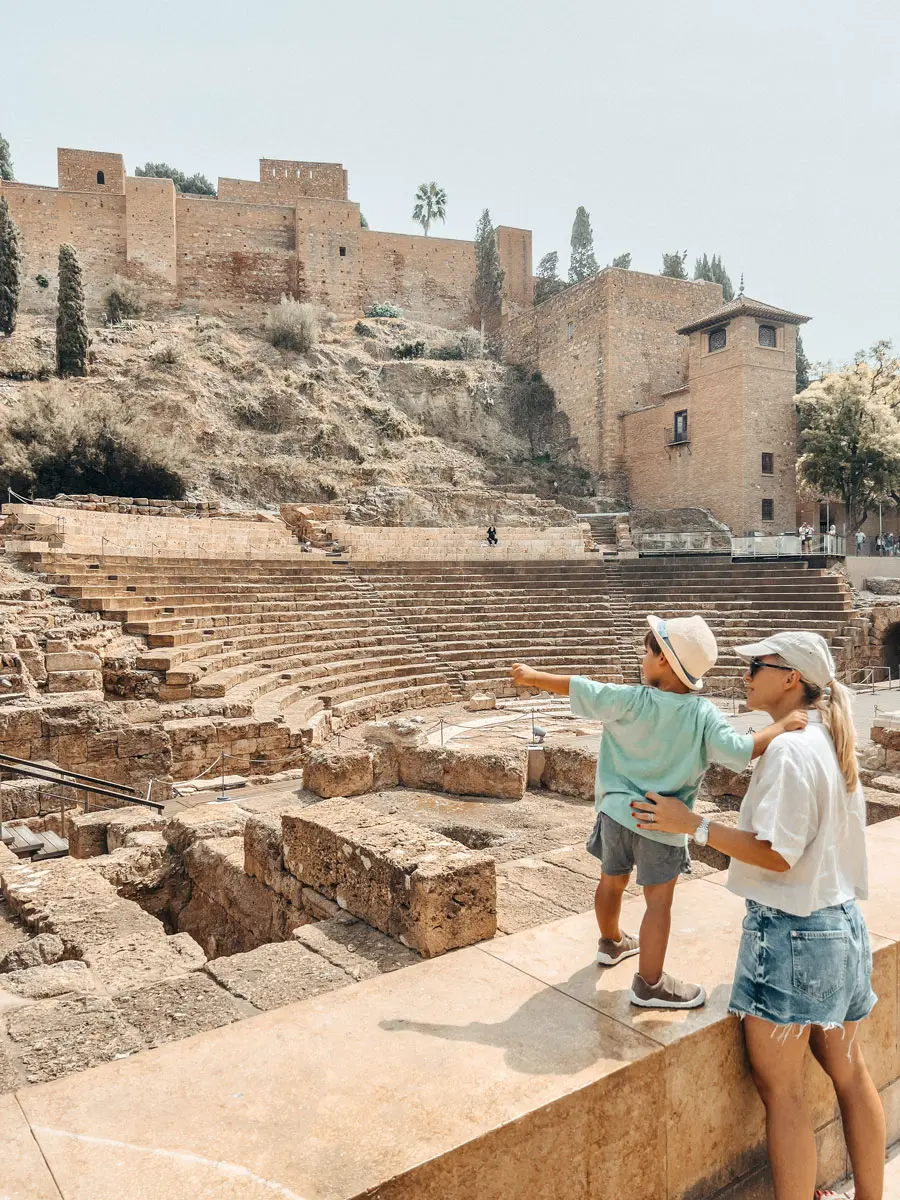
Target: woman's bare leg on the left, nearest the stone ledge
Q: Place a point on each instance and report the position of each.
(777, 1054)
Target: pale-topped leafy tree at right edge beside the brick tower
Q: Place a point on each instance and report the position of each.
(850, 434)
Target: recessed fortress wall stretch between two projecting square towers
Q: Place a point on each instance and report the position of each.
(235, 253)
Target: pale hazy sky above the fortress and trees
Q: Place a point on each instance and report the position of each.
(766, 131)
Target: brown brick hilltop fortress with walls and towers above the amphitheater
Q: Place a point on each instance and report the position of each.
(644, 367)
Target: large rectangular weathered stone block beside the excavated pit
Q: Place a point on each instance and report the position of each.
(406, 880)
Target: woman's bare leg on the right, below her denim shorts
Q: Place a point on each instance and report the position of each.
(842, 1059)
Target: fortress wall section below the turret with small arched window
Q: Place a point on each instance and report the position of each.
(94, 223)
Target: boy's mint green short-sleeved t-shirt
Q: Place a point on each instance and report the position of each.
(655, 742)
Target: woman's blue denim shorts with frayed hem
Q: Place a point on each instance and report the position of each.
(811, 970)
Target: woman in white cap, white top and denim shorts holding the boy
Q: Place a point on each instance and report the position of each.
(799, 859)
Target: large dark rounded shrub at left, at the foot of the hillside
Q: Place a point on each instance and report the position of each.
(50, 446)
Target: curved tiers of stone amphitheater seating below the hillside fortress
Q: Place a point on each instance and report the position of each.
(291, 638)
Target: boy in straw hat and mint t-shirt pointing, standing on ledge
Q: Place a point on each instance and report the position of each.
(658, 739)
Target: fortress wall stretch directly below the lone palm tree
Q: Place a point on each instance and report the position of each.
(430, 279)
